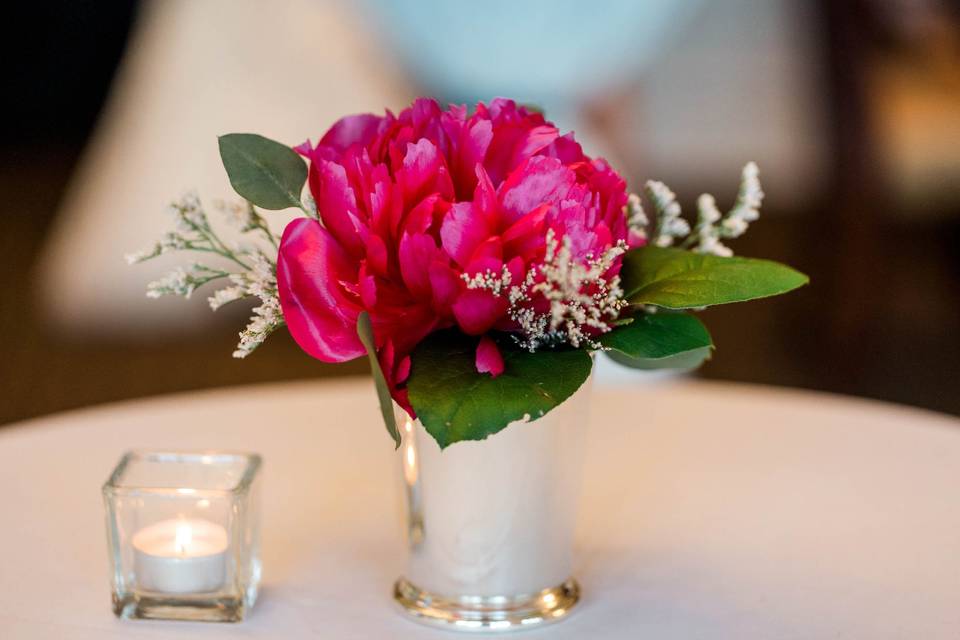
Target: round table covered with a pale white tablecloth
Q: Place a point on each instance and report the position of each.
(708, 511)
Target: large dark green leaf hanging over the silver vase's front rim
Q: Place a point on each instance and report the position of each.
(454, 402)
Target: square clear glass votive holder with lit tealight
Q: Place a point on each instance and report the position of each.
(184, 535)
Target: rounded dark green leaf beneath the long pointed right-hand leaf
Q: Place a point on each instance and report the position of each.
(659, 341)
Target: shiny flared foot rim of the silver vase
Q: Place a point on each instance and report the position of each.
(487, 613)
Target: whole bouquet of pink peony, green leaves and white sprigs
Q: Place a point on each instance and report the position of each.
(477, 259)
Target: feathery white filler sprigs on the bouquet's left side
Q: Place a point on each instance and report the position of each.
(256, 277)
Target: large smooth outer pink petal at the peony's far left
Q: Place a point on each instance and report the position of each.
(321, 317)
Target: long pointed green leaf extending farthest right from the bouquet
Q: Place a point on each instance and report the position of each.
(678, 279)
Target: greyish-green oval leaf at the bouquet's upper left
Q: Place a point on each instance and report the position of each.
(268, 174)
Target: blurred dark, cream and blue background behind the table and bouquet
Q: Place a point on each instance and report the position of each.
(851, 109)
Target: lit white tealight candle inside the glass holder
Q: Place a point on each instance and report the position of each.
(181, 556)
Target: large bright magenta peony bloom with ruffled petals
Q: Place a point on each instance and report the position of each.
(413, 206)
